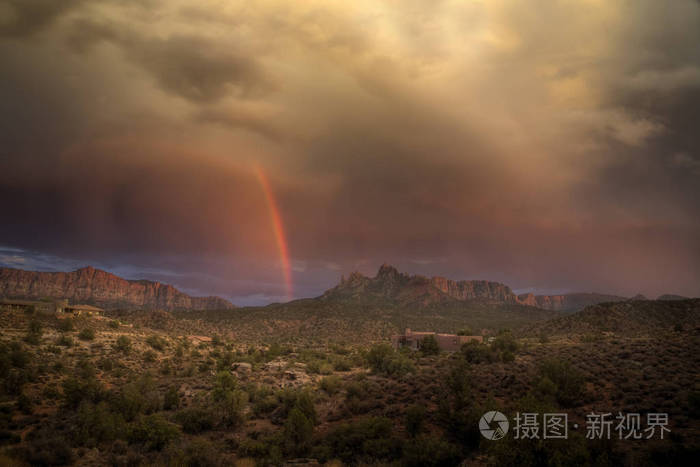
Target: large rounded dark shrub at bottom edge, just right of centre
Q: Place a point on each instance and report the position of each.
(365, 441)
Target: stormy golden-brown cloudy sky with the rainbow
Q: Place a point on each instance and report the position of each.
(260, 150)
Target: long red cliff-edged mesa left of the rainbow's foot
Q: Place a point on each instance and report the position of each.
(96, 287)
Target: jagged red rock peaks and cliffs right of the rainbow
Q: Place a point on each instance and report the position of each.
(390, 284)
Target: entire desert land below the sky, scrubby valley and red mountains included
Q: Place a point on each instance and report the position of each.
(155, 377)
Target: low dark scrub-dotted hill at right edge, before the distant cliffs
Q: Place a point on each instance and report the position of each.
(638, 317)
